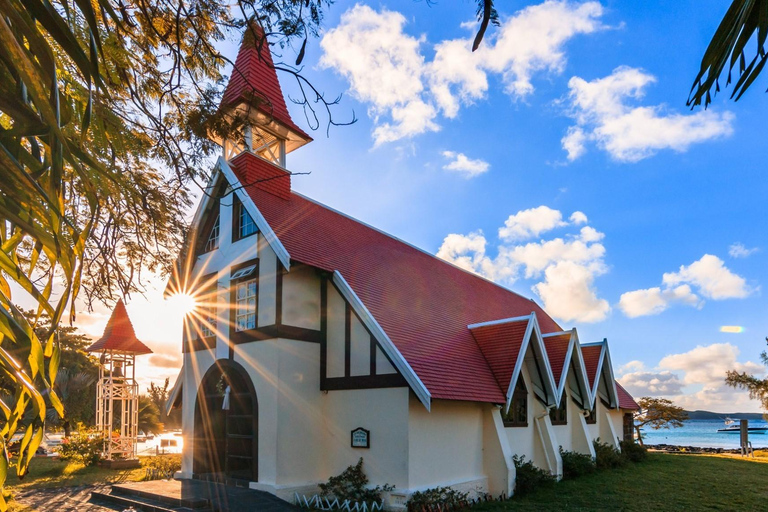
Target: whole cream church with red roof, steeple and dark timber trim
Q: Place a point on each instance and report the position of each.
(319, 340)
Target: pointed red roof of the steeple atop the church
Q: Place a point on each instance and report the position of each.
(254, 76)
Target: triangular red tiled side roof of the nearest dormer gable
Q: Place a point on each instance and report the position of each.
(501, 344)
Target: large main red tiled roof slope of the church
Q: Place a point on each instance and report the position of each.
(423, 303)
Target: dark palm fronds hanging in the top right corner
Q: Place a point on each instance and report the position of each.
(744, 20)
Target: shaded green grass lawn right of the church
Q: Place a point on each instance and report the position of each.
(662, 482)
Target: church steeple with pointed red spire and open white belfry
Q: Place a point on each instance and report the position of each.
(254, 91)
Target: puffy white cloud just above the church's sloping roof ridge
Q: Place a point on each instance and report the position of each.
(565, 267)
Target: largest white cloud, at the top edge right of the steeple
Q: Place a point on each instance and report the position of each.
(387, 70)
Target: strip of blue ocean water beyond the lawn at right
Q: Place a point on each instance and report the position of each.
(704, 434)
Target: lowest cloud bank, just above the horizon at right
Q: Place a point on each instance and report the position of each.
(695, 379)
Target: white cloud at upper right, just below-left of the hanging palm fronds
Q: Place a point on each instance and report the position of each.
(604, 115)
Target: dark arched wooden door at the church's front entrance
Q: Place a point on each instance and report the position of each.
(226, 425)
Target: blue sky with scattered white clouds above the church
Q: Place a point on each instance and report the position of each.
(658, 187)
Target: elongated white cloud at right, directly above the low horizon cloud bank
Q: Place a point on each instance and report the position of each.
(709, 276)
